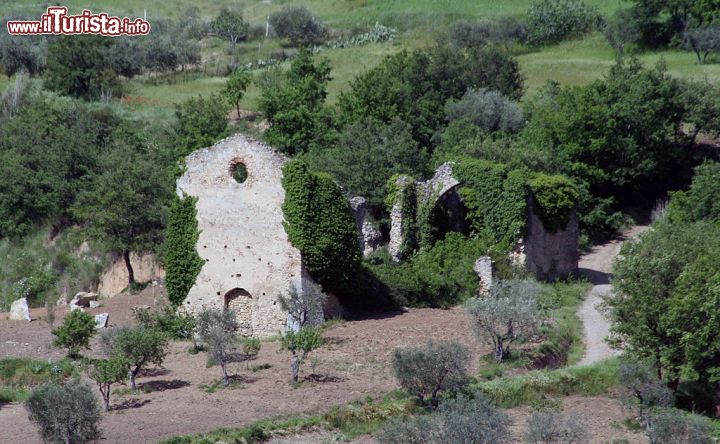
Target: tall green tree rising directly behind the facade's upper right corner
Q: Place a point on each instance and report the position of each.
(294, 104)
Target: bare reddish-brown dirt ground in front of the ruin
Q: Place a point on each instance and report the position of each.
(355, 363)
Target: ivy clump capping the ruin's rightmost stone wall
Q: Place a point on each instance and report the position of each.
(554, 200)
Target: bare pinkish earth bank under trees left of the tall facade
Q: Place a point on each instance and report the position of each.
(114, 280)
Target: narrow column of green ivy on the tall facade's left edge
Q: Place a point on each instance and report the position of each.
(182, 262)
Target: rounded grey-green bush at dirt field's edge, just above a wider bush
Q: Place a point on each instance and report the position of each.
(428, 370)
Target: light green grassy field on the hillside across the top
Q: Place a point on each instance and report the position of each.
(420, 22)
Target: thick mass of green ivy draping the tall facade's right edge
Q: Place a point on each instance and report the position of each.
(319, 223)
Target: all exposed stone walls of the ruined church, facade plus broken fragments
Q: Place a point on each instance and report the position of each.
(249, 261)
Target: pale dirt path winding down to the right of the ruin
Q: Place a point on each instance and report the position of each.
(597, 267)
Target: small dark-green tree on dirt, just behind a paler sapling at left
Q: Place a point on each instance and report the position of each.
(139, 346)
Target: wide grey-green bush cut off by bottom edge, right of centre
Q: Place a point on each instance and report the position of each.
(459, 420)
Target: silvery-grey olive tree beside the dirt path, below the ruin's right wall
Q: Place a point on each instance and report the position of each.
(506, 315)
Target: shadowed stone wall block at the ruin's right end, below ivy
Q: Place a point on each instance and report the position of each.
(550, 256)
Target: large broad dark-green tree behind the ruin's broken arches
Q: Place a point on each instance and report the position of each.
(414, 86)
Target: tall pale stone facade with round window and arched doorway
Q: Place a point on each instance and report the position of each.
(249, 261)
